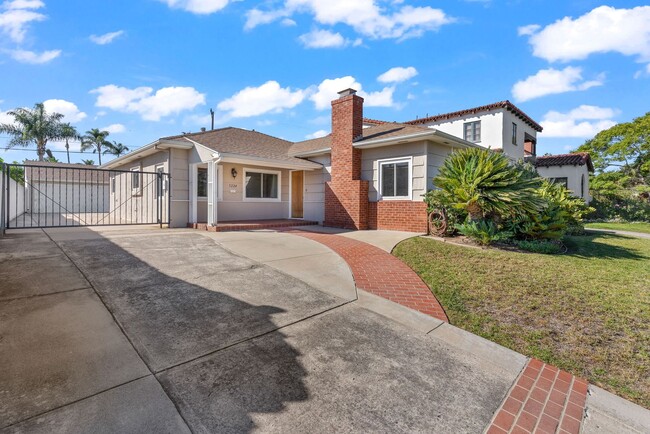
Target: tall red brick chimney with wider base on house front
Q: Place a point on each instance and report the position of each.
(346, 195)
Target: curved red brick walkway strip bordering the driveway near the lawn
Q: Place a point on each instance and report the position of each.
(380, 273)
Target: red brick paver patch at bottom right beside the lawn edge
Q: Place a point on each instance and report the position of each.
(544, 400)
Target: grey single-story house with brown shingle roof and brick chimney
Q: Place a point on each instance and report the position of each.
(356, 177)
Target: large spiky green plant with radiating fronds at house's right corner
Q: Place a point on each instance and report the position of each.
(484, 183)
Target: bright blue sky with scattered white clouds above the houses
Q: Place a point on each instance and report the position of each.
(144, 69)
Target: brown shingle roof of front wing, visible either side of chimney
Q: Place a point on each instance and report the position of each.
(383, 130)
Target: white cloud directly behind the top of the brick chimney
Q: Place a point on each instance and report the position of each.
(328, 90)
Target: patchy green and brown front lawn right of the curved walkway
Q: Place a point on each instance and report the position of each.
(587, 311)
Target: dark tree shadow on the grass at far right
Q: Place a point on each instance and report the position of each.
(591, 245)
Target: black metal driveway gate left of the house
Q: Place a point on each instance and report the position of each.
(44, 196)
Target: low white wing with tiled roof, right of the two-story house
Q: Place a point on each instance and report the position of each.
(571, 170)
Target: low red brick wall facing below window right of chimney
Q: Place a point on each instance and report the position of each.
(398, 215)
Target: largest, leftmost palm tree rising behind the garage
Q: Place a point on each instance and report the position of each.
(35, 126)
